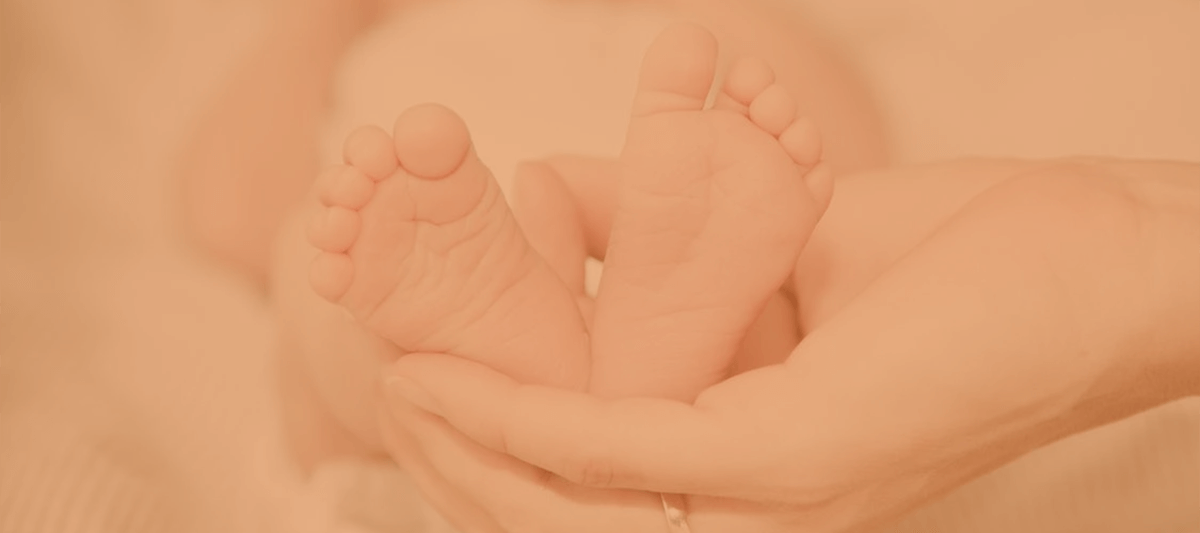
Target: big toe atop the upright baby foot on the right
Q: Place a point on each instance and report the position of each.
(677, 73)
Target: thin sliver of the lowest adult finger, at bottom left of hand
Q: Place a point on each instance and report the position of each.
(461, 512)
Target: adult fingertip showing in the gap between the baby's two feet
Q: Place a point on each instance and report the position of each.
(549, 218)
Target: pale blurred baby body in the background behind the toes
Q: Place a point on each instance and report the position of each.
(542, 77)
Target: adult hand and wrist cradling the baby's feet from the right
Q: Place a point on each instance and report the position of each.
(1054, 300)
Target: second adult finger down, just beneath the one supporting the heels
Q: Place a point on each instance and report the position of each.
(521, 498)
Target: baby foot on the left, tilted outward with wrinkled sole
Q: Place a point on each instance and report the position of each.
(418, 244)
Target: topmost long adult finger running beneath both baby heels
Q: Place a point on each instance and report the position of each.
(632, 444)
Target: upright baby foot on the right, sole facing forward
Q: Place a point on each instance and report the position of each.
(716, 207)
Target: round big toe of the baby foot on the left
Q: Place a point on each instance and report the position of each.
(431, 141)
